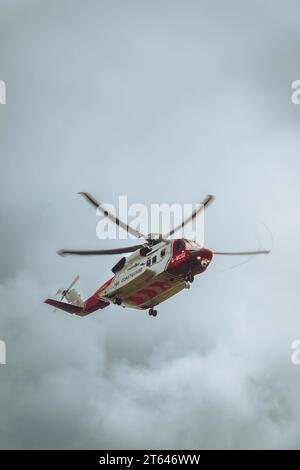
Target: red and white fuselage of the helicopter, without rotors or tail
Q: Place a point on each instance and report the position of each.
(145, 281)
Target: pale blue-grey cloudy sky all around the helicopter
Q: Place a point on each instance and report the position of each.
(163, 102)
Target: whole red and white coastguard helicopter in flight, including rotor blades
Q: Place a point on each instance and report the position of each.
(155, 271)
